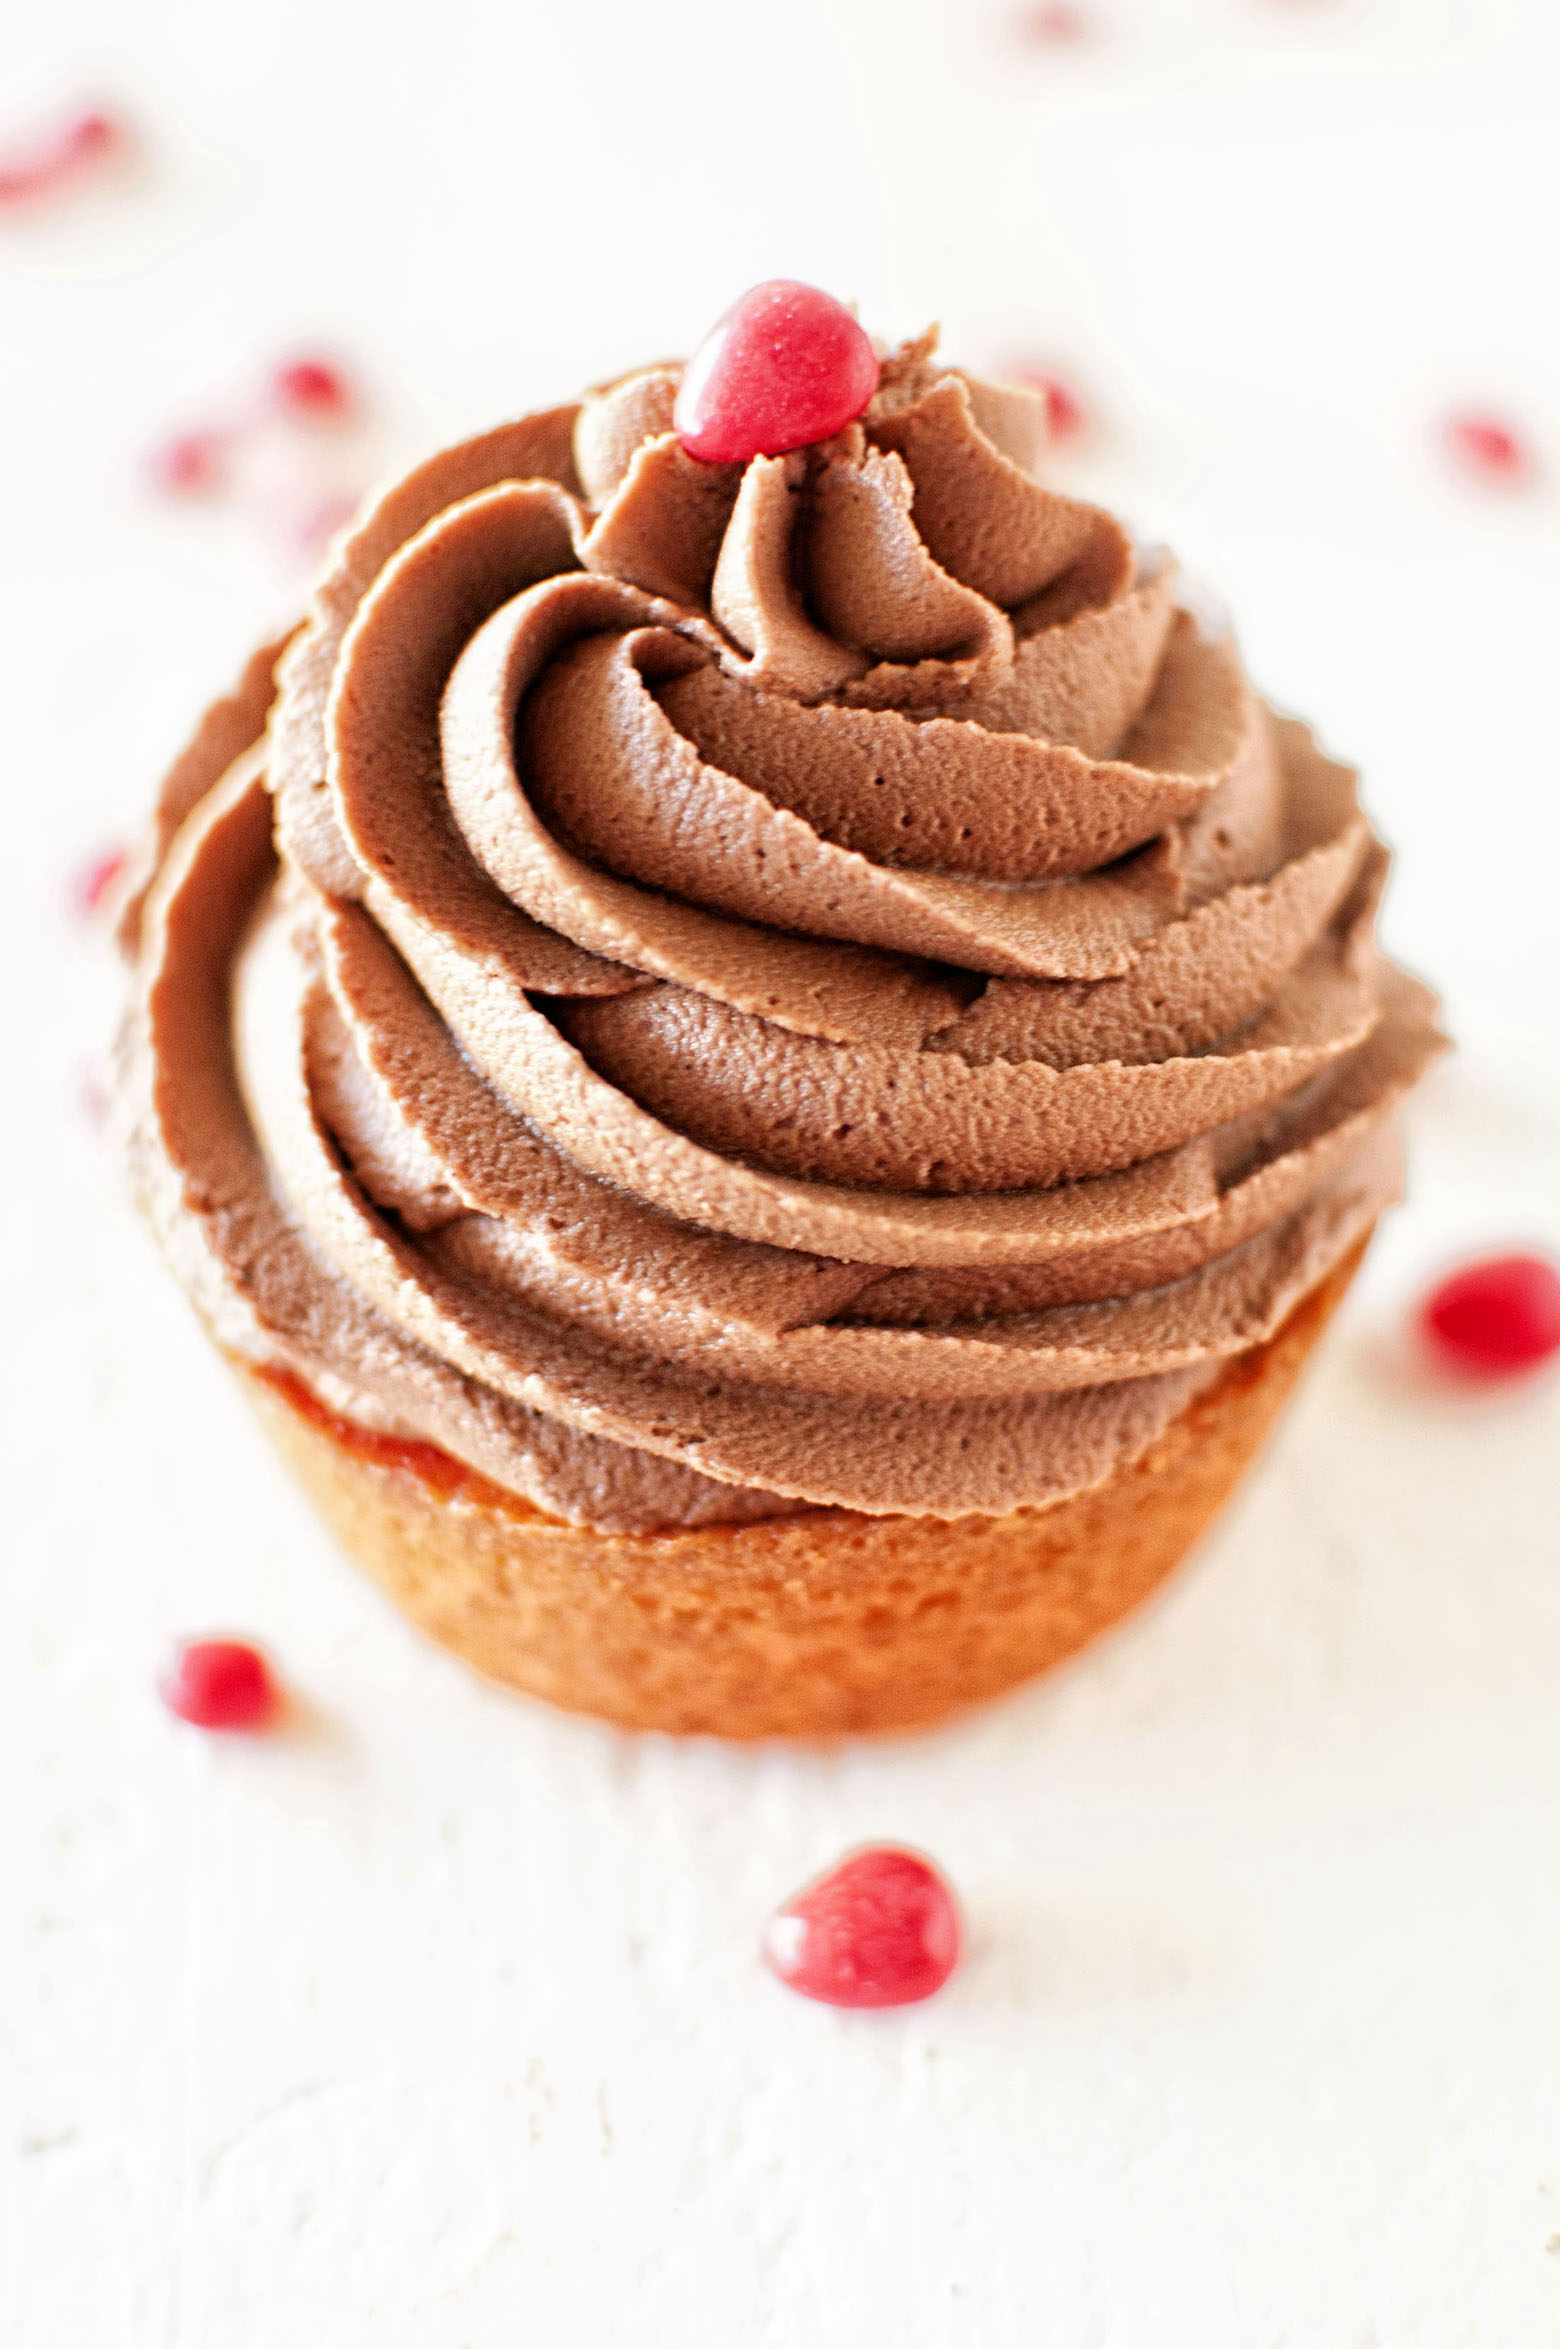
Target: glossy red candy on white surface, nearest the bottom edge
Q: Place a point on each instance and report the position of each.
(882, 1930)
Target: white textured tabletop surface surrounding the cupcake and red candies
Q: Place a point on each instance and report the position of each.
(436, 2024)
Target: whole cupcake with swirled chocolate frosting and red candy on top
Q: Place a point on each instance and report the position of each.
(758, 1051)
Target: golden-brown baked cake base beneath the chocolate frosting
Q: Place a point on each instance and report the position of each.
(798, 1627)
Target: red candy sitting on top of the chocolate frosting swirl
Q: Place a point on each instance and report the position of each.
(781, 370)
